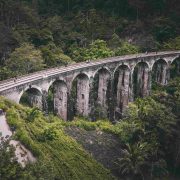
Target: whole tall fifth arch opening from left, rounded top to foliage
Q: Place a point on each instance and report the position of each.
(121, 89)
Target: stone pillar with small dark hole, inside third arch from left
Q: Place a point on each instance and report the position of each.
(83, 96)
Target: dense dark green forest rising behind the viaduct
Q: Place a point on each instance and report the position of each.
(76, 30)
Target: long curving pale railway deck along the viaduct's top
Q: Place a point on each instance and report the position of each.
(10, 83)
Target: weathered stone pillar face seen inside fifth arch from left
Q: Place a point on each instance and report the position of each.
(123, 90)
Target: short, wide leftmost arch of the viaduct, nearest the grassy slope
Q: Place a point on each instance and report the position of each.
(31, 96)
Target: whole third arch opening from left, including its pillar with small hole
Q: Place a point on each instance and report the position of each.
(79, 95)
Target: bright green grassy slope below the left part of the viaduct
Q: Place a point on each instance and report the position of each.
(59, 156)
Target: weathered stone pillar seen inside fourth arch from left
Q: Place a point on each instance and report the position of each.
(102, 89)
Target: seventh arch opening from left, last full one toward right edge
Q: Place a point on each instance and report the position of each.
(159, 71)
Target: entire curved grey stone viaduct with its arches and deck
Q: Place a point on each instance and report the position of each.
(107, 85)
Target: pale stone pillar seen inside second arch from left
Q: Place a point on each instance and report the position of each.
(60, 100)
